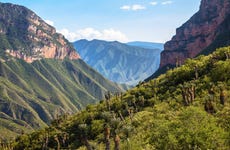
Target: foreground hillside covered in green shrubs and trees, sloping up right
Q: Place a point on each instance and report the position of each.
(186, 108)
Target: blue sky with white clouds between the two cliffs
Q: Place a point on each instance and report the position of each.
(114, 20)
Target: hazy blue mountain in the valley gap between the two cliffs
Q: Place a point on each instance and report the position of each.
(119, 62)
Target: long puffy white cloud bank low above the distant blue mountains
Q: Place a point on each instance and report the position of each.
(91, 33)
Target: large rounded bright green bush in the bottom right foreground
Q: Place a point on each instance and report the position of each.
(192, 128)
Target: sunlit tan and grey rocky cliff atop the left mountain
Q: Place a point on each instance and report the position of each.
(26, 36)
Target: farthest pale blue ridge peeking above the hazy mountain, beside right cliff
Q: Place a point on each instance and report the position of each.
(148, 45)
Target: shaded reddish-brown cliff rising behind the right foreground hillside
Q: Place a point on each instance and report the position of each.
(198, 32)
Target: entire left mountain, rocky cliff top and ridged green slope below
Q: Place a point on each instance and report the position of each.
(41, 75)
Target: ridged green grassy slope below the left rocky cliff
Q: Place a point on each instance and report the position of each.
(31, 95)
